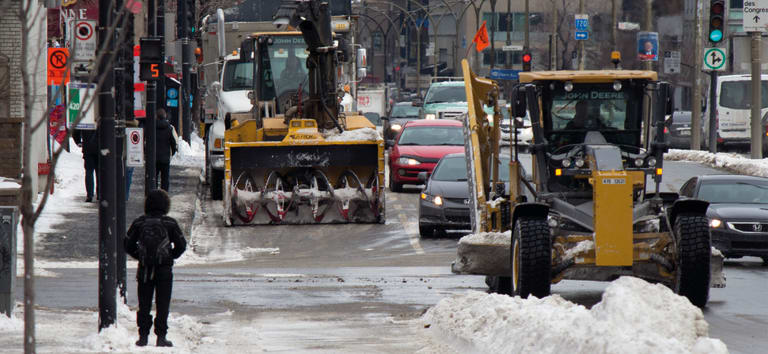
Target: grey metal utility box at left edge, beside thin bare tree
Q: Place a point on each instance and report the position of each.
(7, 258)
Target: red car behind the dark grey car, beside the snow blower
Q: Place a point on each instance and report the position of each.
(419, 146)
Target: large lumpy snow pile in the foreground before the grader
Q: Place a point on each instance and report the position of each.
(633, 317)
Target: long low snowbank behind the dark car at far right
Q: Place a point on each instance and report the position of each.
(730, 162)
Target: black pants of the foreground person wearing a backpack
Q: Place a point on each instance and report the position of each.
(157, 282)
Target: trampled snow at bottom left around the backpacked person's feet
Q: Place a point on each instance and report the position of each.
(216, 333)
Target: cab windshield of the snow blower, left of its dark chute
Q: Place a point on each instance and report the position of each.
(288, 62)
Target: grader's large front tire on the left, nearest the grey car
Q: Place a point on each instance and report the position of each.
(531, 258)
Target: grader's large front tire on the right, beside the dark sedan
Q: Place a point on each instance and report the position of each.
(693, 257)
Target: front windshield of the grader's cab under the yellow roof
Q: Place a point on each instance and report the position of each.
(593, 107)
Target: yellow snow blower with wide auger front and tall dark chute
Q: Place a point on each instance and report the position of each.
(298, 158)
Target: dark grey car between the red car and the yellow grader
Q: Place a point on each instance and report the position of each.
(444, 202)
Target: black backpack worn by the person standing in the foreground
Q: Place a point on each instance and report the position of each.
(154, 246)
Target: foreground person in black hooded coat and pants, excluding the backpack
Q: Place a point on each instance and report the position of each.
(155, 280)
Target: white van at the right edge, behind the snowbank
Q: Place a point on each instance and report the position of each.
(733, 112)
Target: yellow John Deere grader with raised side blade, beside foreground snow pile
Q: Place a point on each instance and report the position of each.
(591, 209)
